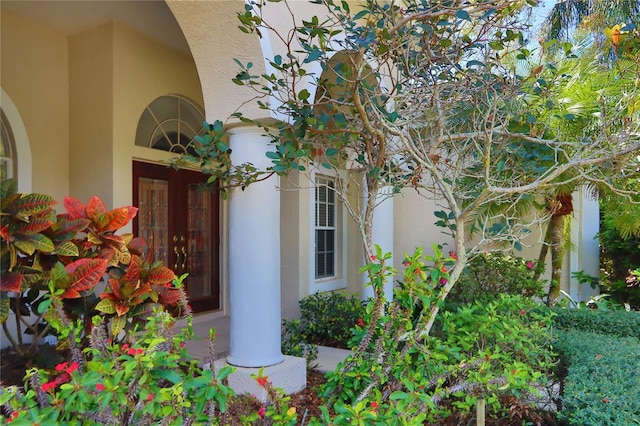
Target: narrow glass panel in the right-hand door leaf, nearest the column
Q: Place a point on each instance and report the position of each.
(199, 241)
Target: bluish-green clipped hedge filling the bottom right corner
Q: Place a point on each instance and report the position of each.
(603, 381)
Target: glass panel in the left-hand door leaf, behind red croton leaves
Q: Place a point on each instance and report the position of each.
(153, 222)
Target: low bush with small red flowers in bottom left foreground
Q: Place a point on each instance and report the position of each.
(149, 381)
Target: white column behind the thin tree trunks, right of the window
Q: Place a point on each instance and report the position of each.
(382, 235)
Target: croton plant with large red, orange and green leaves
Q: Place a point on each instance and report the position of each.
(45, 255)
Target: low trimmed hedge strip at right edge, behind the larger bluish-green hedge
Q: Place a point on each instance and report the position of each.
(614, 323)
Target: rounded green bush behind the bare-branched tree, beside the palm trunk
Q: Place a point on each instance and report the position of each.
(490, 274)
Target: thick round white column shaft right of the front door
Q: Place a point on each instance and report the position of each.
(254, 259)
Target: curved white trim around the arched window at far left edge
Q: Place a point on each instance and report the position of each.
(23, 148)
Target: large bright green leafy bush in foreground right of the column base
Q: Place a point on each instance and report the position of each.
(498, 351)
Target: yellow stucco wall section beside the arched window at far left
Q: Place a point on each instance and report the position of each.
(34, 73)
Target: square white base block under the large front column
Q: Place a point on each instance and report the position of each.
(290, 375)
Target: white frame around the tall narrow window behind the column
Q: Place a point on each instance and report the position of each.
(339, 280)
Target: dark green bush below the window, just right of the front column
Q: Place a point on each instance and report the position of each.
(326, 319)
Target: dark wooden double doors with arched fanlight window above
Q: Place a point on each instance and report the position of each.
(178, 216)
